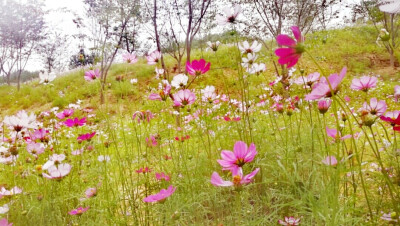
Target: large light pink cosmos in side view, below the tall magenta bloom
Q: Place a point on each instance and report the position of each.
(322, 89)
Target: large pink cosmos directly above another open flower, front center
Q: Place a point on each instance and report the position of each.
(240, 155)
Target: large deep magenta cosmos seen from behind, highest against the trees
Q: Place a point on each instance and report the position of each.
(295, 48)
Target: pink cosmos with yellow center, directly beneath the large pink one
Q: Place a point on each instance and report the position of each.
(237, 178)
